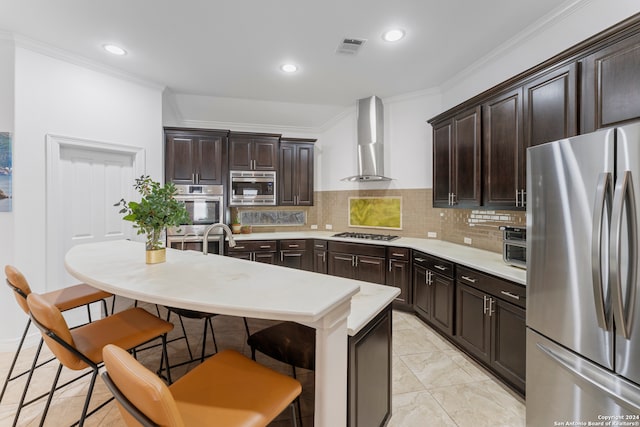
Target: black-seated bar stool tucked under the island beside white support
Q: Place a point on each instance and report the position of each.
(287, 342)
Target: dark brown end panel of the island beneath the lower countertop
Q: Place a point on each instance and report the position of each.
(369, 373)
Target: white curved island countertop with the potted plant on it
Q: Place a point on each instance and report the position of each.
(225, 285)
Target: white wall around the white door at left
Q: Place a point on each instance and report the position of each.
(57, 97)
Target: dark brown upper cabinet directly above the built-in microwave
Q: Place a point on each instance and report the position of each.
(252, 151)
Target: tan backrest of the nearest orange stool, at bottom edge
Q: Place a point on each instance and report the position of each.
(141, 388)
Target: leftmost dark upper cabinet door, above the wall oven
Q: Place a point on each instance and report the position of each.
(179, 159)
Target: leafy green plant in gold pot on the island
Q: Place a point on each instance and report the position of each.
(156, 210)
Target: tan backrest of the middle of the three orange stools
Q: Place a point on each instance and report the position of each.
(55, 331)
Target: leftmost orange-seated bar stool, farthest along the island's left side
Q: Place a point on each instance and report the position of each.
(64, 299)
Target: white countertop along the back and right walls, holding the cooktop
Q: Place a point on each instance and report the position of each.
(479, 259)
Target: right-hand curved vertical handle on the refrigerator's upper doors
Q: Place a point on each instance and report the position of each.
(624, 195)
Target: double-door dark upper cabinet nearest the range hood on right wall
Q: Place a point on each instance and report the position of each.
(456, 156)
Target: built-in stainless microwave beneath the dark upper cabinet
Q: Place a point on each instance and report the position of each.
(252, 188)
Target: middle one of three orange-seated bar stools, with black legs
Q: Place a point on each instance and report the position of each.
(81, 348)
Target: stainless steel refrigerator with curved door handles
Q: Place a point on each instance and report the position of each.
(583, 329)
